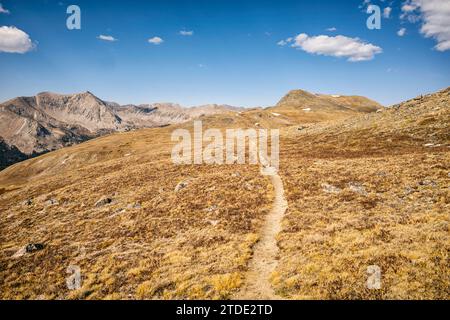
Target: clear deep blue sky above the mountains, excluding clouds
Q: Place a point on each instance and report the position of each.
(232, 56)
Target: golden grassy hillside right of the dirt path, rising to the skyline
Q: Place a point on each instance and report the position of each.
(372, 190)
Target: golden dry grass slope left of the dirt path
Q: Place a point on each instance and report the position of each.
(191, 244)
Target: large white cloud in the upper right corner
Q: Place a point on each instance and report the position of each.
(435, 17)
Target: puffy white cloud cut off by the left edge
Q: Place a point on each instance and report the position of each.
(13, 40)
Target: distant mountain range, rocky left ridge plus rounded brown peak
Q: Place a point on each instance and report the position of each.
(31, 126)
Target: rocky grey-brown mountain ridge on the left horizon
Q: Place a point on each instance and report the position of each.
(49, 121)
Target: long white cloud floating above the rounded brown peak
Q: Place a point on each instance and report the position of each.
(339, 46)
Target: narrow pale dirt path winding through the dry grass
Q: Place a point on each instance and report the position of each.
(257, 285)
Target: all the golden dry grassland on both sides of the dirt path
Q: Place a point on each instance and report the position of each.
(389, 206)
